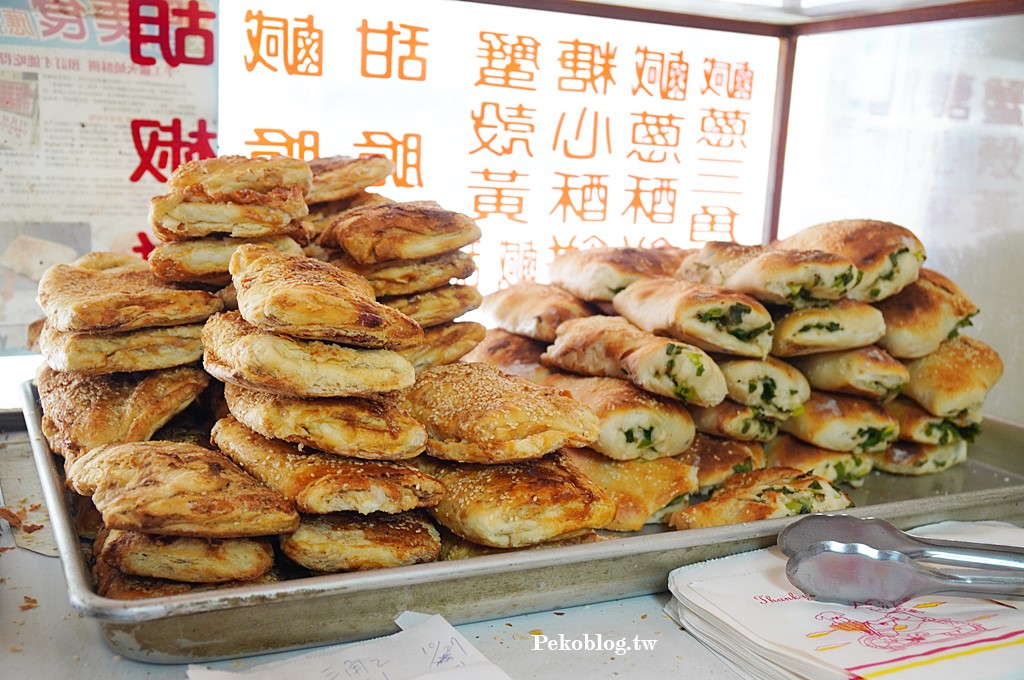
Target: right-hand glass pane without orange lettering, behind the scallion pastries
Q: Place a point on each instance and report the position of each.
(922, 125)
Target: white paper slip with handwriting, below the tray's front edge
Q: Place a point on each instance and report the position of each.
(428, 648)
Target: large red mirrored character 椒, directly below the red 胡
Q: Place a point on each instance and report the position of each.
(161, 149)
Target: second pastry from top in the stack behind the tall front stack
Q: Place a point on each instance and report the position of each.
(409, 277)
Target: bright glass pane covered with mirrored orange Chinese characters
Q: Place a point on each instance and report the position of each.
(554, 132)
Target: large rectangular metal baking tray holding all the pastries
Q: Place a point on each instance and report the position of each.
(326, 610)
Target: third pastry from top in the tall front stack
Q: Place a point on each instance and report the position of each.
(372, 430)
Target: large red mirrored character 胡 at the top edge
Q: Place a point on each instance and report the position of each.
(193, 45)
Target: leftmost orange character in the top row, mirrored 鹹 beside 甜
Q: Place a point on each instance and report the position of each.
(300, 52)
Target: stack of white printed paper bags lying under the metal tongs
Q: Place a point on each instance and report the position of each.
(746, 610)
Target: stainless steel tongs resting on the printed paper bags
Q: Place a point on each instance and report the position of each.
(846, 560)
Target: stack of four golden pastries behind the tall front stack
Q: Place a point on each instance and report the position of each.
(411, 253)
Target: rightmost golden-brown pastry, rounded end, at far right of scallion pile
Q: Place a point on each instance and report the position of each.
(956, 378)
